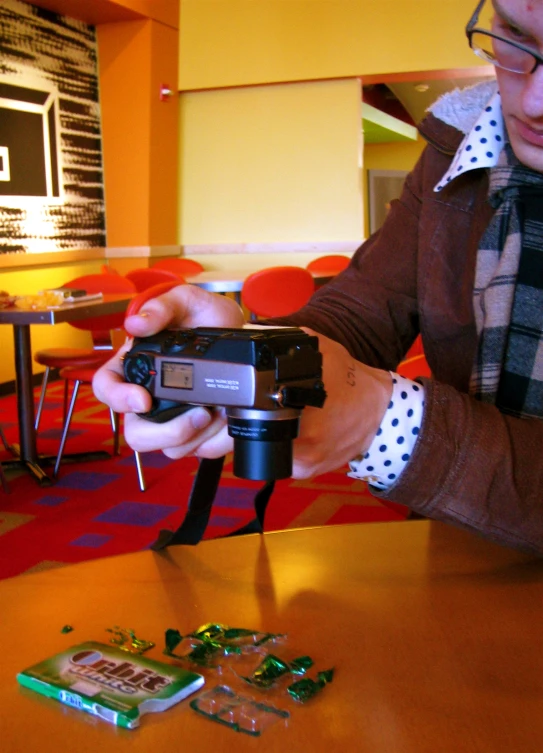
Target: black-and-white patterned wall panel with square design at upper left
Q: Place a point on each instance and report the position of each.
(51, 179)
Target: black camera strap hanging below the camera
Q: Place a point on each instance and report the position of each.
(204, 489)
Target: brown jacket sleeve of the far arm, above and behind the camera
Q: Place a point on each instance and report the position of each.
(371, 307)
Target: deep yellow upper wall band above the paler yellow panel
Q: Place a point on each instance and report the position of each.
(235, 42)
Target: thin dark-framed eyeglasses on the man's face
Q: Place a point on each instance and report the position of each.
(503, 53)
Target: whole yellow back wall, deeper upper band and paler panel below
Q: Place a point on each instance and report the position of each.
(282, 162)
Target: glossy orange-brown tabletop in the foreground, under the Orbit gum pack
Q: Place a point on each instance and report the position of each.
(427, 637)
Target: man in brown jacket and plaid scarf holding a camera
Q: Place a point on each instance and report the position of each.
(456, 259)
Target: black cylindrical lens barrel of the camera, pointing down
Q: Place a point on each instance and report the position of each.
(263, 442)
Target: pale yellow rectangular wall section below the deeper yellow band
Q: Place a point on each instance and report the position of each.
(269, 164)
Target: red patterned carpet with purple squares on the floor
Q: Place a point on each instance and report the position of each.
(97, 510)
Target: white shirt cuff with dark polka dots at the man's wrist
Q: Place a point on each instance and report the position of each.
(395, 440)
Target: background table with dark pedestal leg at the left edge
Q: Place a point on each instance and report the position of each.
(25, 453)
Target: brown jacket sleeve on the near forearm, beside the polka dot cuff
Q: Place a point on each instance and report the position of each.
(477, 468)
